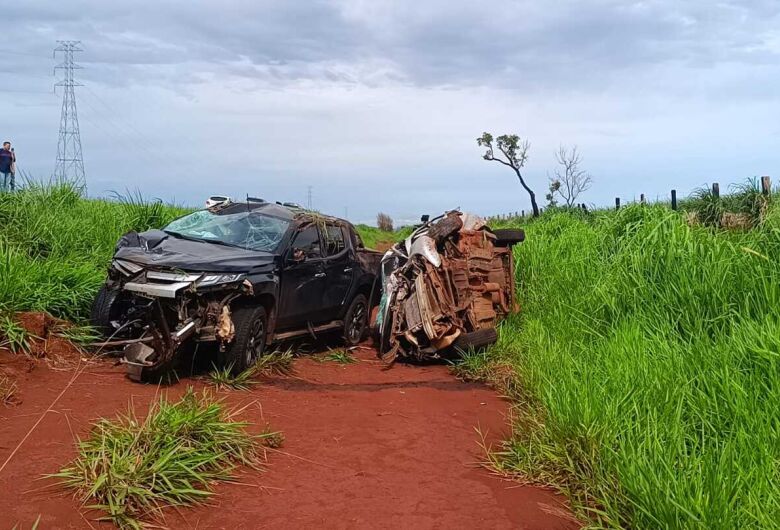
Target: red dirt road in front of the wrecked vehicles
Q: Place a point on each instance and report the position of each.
(364, 448)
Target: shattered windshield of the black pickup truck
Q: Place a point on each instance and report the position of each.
(250, 230)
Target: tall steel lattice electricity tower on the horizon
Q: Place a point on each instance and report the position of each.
(70, 163)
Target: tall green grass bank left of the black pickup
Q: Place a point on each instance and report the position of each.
(55, 245)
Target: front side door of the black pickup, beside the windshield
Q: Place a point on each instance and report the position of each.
(303, 282)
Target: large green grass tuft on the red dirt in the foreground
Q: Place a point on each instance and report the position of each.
(133, 467)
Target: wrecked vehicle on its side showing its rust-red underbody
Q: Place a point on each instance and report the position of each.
(445, 287)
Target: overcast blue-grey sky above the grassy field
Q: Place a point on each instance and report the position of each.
(376, 104)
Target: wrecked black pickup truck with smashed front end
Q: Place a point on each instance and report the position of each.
(242, 275)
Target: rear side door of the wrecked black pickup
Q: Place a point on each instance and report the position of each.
(340, 268)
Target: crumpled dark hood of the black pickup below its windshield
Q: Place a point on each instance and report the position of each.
(158, 249)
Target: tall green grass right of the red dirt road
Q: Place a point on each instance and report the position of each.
(647, 368)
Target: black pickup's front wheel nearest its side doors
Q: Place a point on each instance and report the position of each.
(251, 324)
